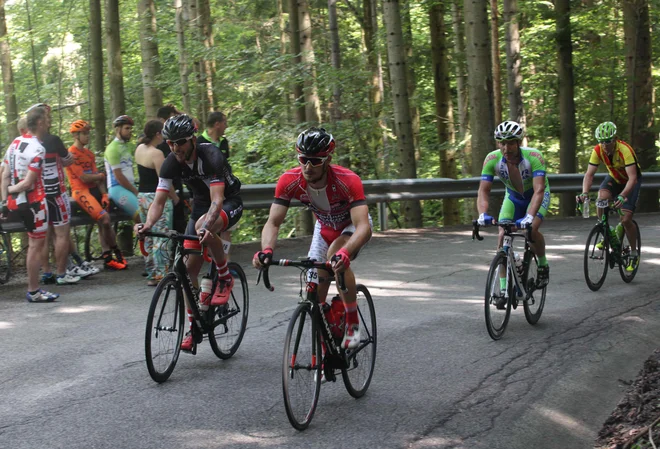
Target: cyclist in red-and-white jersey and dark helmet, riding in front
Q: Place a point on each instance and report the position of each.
(336, 196)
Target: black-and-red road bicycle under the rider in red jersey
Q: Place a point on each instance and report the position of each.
(312, 347)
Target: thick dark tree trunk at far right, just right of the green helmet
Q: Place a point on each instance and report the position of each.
(639, 82)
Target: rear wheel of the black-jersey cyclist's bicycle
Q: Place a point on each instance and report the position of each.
(230, 320)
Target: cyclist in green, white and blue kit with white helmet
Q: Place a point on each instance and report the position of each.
(523, 172)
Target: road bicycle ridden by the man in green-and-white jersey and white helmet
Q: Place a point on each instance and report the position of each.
(521, 282)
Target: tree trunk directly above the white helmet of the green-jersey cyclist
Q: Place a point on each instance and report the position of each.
(516, 110)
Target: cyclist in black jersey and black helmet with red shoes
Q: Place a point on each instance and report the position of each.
(217, 204)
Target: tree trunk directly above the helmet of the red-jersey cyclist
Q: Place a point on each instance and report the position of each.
(312, 105)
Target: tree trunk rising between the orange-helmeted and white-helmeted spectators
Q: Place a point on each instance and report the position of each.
(96, 74)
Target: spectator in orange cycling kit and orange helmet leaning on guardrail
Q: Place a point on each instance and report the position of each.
(88, 190)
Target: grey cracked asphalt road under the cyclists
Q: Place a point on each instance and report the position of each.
(73, 375)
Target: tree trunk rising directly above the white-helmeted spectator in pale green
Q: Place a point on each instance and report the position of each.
(115, 64)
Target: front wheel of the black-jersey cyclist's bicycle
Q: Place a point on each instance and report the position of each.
(164, 332)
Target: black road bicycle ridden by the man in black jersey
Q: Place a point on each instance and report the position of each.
(224, 326)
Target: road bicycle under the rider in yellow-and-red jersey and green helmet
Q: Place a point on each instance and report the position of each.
(603, 250)
